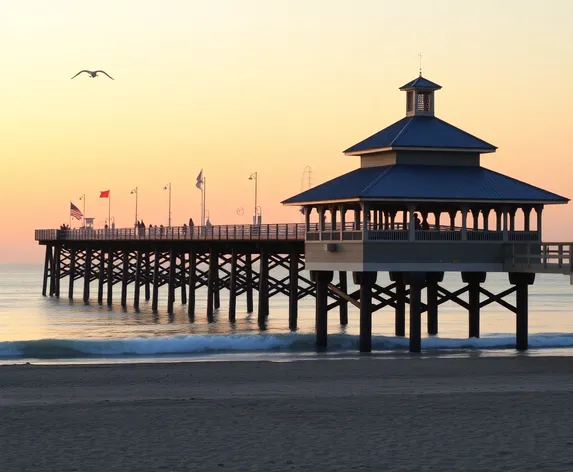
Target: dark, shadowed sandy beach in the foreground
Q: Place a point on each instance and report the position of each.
(427, 414)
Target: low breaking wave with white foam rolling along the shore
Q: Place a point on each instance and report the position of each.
(294, 343)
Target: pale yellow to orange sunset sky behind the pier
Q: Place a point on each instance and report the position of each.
(241, 86)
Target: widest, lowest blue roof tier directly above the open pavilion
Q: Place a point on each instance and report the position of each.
(426, 182)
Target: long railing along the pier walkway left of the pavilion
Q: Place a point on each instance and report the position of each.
(295, 231)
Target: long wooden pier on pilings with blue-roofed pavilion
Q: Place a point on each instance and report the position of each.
(419, 205)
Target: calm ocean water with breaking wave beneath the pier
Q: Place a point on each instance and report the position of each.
(39, 329)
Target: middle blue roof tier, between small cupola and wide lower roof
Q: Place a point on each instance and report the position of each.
(422, 132)
